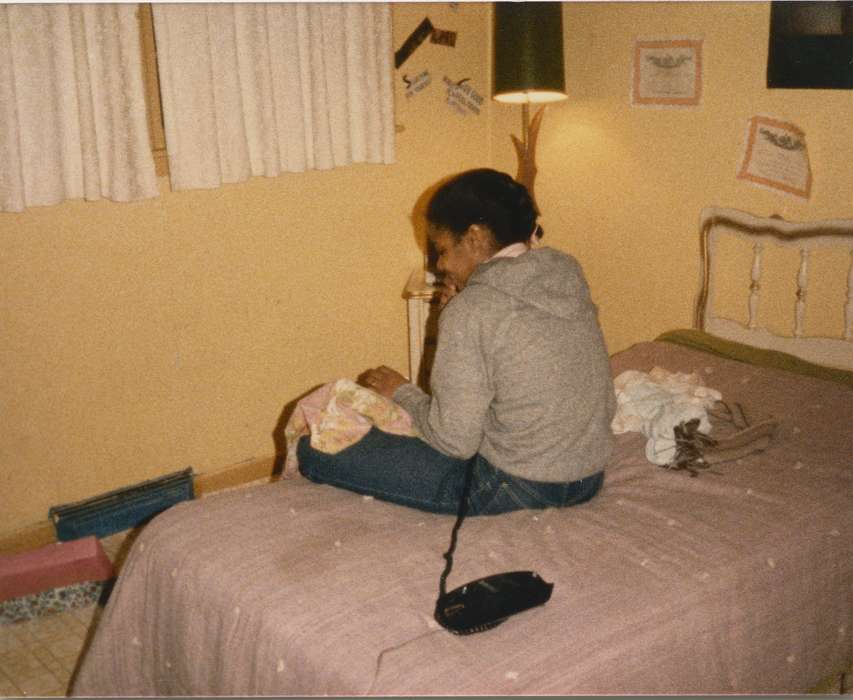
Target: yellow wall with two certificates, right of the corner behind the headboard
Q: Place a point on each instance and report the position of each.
(622, 187)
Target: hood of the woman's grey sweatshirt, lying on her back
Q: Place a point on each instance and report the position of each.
(545, 278)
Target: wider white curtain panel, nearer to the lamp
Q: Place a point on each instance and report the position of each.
(261, 89)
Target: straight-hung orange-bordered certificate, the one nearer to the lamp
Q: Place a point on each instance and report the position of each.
(667, 73)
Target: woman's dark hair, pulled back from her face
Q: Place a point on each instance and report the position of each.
(485, 197)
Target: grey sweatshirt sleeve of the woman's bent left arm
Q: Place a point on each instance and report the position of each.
(452, 419)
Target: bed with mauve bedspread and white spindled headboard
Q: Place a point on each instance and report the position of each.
(739, 581)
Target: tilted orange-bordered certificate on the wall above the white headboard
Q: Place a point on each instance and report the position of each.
(776, 157)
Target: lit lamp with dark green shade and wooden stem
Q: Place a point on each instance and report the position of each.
(528, 68)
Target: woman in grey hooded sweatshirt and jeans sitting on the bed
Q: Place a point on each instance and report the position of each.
(521, 377)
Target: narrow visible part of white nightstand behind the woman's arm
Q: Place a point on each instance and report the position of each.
(422, 312)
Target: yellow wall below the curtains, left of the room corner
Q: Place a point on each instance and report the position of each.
(142, 338)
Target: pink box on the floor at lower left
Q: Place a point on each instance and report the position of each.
(55, 565)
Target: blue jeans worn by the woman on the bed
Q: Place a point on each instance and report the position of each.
(407, 471)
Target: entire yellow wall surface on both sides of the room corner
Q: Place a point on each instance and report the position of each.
(142, 338)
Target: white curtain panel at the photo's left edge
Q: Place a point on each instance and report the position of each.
(72, 106)
